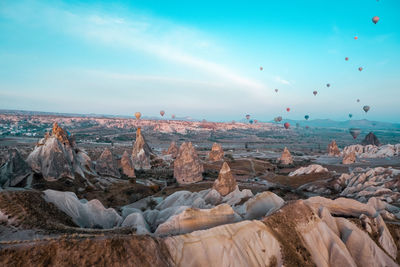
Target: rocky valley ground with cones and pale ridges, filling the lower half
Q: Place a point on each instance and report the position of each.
(65, 201)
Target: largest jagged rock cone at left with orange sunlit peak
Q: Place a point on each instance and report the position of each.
(56, 156)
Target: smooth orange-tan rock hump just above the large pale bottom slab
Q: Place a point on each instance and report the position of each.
(197, 219)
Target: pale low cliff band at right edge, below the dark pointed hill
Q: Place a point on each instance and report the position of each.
(372, 151)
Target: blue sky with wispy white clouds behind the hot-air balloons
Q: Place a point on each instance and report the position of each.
(202, 58)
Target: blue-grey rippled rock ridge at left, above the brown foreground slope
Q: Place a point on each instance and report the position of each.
(90, 214)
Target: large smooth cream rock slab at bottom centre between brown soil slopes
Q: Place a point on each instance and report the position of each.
(248, 243)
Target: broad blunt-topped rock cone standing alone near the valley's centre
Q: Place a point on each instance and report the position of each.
(187, 166)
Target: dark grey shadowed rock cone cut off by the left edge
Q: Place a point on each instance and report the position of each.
(15, 170)
